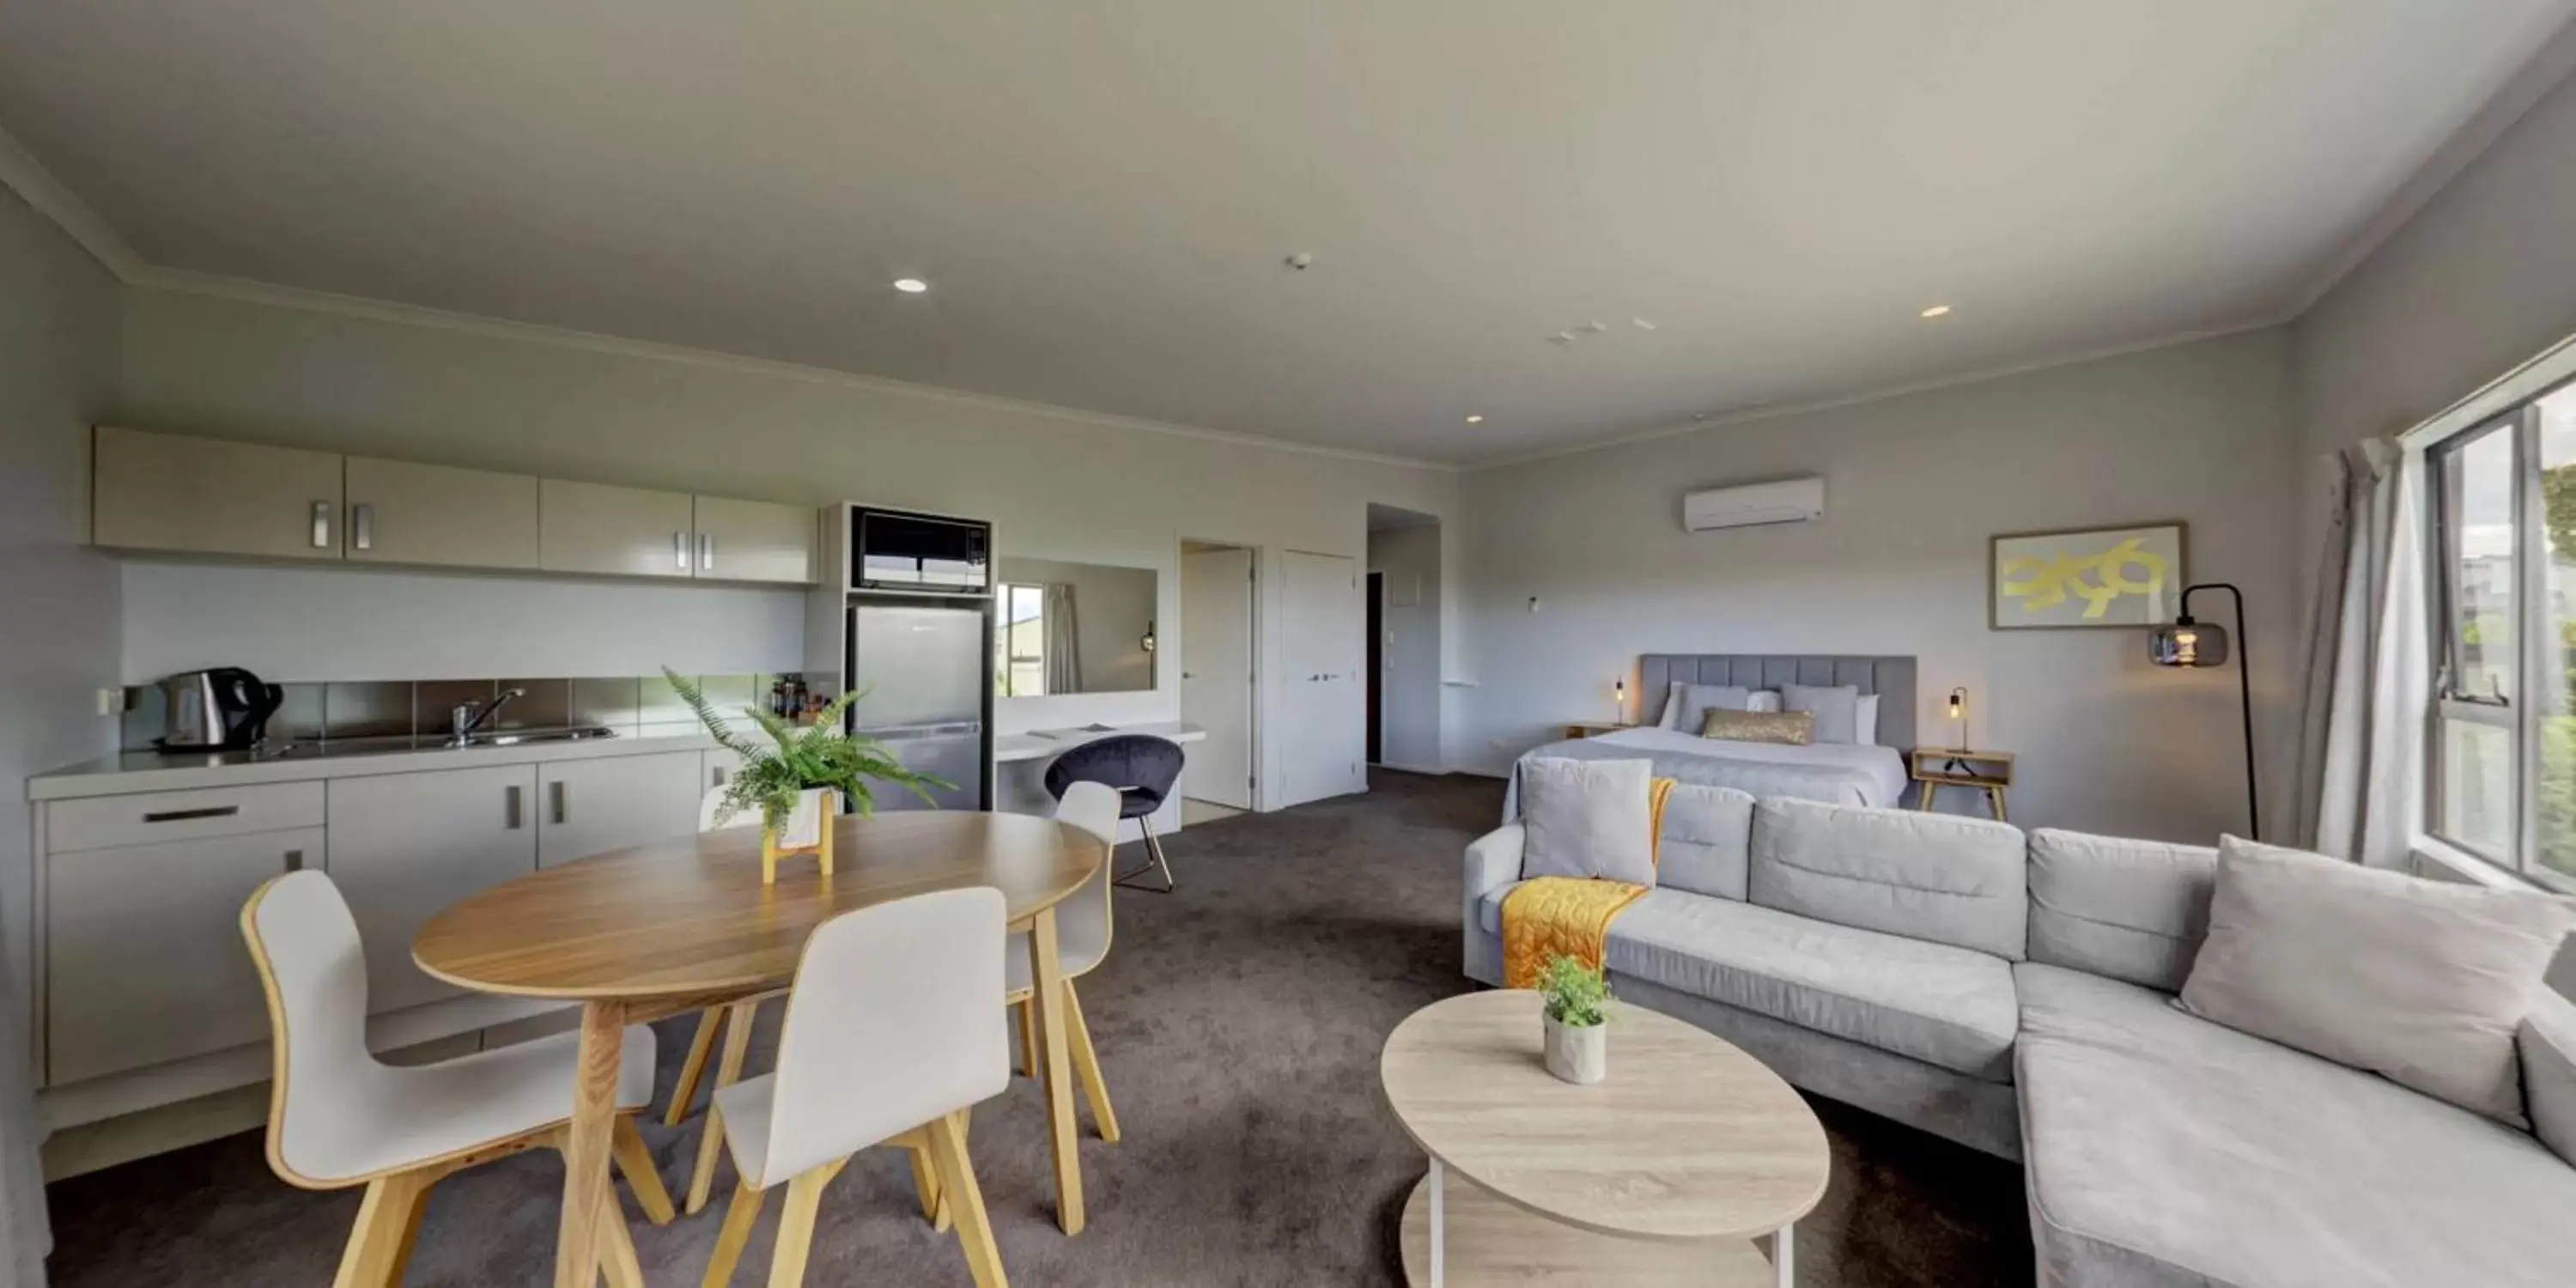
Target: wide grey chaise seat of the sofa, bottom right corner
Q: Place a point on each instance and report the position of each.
(2165, 1150)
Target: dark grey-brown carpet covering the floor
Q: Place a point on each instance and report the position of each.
(1238, 1024)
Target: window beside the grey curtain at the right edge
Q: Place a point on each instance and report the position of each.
(2505, 607)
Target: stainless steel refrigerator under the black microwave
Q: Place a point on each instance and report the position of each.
(926, 663)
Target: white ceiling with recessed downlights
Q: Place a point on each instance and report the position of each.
(1104, 194)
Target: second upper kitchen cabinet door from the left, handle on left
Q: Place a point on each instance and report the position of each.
(411, 514)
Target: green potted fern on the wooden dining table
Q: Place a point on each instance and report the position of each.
(805, 779)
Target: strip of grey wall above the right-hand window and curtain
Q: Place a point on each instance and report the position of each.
(2477, 282)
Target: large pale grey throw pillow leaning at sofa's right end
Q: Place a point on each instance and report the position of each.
(2389, 972)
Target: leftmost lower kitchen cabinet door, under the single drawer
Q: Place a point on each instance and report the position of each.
(146, 957)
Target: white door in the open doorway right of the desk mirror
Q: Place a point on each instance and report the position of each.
(1217, 674)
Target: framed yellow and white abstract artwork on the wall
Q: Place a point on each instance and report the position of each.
(2085, 578)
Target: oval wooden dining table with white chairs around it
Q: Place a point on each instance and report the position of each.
(687, 923)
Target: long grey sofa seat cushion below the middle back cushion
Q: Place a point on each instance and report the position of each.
(1928, 1001)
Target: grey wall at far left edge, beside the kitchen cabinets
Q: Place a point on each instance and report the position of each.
(58, 604)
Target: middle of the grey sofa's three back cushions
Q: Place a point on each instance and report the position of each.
(1931, 877)
